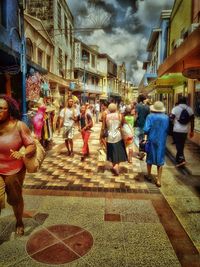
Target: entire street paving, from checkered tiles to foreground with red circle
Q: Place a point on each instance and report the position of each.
(79, 214)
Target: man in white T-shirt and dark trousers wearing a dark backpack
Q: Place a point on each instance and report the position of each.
(183, 117)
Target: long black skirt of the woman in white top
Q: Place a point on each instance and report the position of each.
(116, 152)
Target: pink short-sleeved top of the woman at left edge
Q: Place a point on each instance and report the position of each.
(13, 140)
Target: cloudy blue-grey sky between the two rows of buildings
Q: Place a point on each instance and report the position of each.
(124, 27)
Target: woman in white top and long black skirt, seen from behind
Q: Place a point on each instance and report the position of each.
(116, 151)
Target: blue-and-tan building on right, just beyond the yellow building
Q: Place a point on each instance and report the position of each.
(157, 89)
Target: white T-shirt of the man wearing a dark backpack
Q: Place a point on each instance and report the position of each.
(178, 127)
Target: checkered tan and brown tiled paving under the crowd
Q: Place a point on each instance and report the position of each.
(62, 172)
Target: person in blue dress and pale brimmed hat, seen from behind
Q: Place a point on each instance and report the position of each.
(156, 129)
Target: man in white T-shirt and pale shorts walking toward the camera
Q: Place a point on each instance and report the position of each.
(68, 117)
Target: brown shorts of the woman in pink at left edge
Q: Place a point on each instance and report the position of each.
(12, 186)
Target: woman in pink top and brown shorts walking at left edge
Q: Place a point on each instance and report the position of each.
(13, 135)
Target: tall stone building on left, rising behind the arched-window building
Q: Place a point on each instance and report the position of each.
(59, 23)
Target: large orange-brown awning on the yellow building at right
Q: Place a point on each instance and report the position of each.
(185, 59)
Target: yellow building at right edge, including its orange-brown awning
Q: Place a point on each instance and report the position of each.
(184, 55)
